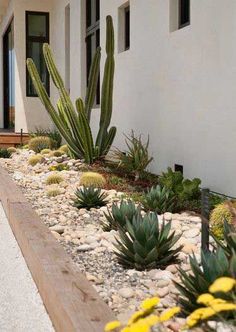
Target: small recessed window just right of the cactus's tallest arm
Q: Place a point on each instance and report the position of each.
(124, 28)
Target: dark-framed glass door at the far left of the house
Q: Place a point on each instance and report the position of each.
(9, 77)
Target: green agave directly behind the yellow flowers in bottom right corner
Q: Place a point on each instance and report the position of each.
(197, 282)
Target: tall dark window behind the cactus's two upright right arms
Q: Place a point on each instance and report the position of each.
(92, 37)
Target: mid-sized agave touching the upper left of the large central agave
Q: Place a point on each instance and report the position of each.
(119, 214)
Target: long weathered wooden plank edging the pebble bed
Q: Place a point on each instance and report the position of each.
(71, 301)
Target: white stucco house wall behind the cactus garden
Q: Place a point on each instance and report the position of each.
(177, 87)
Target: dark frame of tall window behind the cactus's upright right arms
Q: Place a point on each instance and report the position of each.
(93, 30)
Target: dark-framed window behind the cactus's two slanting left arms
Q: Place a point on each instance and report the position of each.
(37, 33)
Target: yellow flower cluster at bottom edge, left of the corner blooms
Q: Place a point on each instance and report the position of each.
(145, 319)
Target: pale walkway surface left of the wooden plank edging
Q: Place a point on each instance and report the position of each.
(21, 307)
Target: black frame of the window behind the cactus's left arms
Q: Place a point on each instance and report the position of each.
(37, 39)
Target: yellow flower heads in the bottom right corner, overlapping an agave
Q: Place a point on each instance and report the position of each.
(215, 307)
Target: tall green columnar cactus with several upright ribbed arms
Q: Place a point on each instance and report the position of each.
(74, 122)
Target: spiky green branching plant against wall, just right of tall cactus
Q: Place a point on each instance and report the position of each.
(136, 159)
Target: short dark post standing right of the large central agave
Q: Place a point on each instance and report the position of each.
(205, 211)
